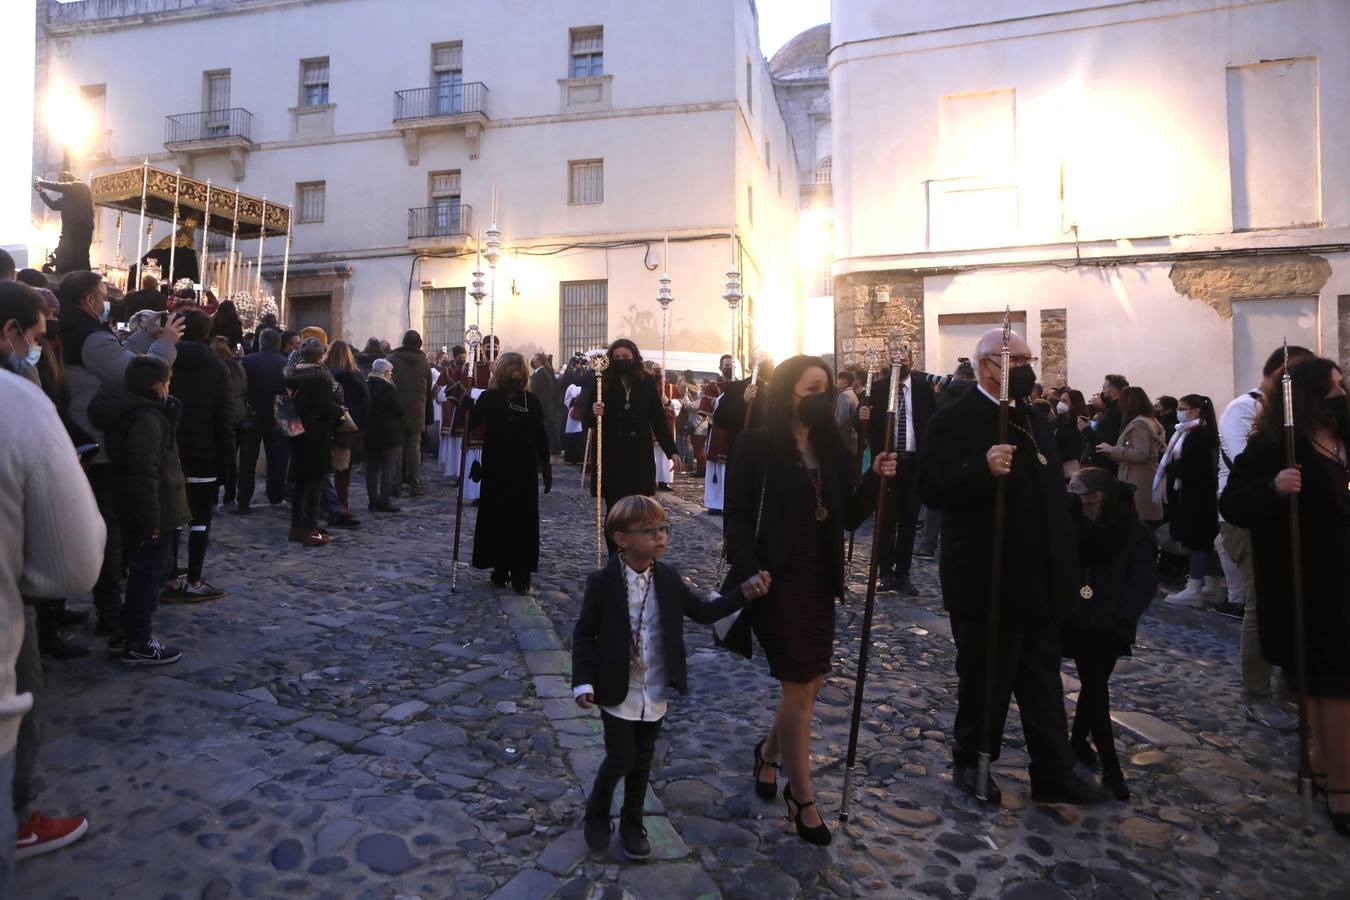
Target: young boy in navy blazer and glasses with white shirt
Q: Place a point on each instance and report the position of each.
(628, 648)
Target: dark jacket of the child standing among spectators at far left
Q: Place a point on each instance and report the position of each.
(141, 439)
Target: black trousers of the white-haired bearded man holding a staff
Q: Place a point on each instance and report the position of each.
(1028, 667)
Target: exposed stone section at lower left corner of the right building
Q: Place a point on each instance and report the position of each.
(862, 325)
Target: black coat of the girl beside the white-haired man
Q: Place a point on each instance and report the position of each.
(1118, 561)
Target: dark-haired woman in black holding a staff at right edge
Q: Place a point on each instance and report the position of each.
(1258, 497)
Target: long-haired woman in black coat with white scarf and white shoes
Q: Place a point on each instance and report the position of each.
(1189, 482)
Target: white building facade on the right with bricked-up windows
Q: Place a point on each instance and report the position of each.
(1158, 188)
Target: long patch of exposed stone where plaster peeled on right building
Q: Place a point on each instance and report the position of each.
(1218, 283)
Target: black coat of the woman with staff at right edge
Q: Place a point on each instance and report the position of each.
(1251, 501)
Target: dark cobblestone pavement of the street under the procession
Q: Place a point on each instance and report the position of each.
(344, 727)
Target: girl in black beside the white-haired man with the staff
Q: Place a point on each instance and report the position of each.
(1120, 575)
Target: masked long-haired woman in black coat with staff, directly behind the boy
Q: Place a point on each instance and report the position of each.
(634, 418)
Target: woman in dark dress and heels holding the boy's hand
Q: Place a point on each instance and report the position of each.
(790, 497)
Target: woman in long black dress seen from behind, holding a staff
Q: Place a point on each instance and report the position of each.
(515, 459)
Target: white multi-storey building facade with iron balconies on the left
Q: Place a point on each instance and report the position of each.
(604, 126)
